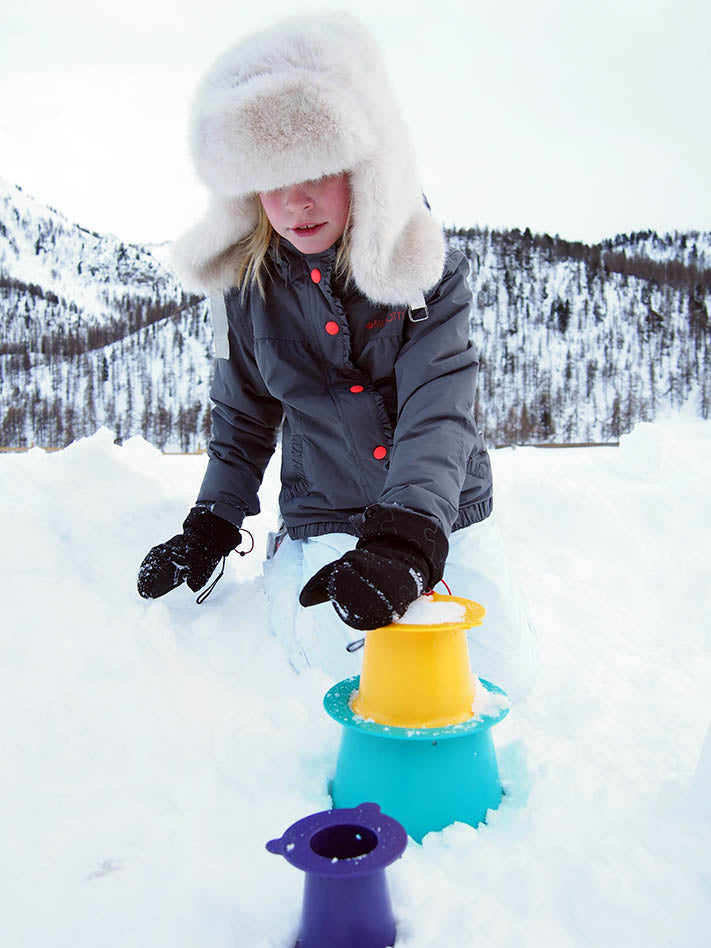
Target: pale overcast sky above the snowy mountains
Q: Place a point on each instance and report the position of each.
(580, 118)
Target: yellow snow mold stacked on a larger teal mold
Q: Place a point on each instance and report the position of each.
(417, 723)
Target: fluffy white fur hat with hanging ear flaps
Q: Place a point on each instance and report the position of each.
(302, 99)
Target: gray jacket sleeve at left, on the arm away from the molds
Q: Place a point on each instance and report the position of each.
(245, 421)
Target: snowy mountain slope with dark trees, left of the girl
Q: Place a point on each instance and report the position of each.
(95, 331)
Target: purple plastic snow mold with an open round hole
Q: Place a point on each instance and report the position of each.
(344, 853)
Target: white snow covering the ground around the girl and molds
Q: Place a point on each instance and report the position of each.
(151, 749)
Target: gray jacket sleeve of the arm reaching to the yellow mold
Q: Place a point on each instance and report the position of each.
(435, 433)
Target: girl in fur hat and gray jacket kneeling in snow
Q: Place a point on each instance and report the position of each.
(341, 321)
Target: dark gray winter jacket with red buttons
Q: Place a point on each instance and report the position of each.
(374, 407)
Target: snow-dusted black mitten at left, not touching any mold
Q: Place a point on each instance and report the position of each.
(190, 556)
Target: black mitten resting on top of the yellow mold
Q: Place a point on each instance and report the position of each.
(400, 555)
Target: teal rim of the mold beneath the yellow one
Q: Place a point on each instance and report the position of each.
(337, 705)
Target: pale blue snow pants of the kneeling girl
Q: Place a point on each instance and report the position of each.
(503, 650)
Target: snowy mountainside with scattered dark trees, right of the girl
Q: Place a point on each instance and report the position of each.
(578, 342)
